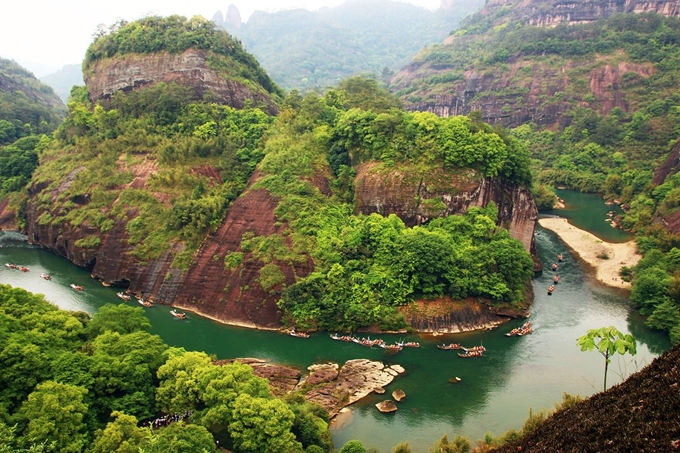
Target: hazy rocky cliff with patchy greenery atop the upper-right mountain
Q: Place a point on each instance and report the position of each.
(511, 86)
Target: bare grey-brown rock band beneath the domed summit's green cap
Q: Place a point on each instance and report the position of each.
(190, 68)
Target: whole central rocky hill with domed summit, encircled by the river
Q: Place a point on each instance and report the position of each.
(333, 215)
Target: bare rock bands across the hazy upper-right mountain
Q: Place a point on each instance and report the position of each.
(529, 90)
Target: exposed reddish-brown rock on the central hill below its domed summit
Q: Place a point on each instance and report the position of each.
(235, 294)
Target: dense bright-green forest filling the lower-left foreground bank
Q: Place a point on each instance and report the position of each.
(75, 383)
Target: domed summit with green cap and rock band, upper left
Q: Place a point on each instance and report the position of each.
(192, 53)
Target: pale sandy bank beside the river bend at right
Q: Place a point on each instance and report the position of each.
(588, 247)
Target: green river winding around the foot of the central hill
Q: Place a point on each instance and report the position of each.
(496, 391)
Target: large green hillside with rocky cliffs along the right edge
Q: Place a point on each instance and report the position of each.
(593, 90)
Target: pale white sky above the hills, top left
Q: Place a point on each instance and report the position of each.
(44, 35)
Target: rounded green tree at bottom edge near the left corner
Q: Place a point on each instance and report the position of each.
(55, 413)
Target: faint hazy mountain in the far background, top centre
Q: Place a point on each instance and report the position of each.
(309, 50)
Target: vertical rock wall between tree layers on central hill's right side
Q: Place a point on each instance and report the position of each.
(416, 198)
